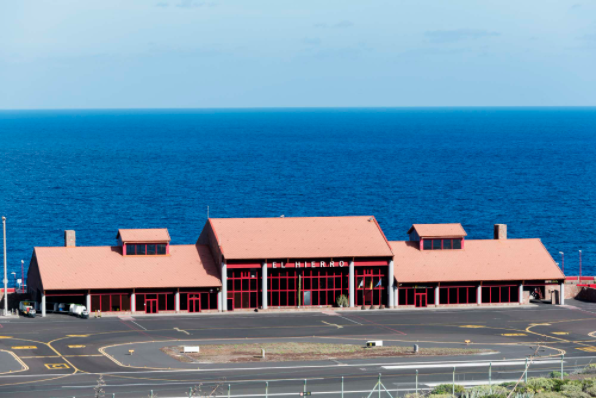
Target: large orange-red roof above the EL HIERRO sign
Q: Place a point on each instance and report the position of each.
(300, 237)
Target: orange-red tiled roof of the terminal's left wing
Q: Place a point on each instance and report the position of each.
(106, 267)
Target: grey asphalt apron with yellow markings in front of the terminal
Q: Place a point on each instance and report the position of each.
(64, 356)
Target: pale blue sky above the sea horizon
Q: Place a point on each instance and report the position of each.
(278, 53)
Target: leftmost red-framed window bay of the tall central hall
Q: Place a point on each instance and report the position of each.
(243, 289)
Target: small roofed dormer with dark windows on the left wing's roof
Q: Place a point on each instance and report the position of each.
(144, 242)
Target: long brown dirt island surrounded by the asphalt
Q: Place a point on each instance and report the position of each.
(298, 351)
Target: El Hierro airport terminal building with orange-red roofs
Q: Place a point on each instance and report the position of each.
(294, 263)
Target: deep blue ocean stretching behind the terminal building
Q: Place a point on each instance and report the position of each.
(97, 171)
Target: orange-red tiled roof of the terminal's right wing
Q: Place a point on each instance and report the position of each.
(480, 260)
